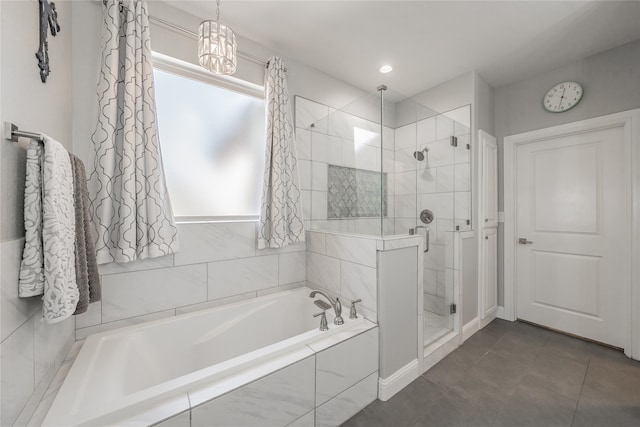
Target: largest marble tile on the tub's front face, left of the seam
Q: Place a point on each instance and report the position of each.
(290, 390)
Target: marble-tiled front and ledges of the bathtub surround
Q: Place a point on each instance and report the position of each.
(323, 384)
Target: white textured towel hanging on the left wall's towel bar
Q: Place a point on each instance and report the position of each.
(48, 260)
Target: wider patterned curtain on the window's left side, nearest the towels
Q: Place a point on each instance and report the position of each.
(129, 203)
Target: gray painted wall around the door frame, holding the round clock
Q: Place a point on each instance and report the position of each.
(611, 82)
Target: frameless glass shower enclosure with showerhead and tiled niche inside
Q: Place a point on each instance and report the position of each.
(385, 165)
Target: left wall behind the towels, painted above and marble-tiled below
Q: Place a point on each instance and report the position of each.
(31, 350)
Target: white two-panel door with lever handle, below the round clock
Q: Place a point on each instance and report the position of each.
(570, 216)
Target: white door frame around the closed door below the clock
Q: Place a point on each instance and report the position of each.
(630, 122)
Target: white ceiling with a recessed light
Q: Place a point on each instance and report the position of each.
(429, 42)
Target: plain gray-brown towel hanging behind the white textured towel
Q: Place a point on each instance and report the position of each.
(87, 276)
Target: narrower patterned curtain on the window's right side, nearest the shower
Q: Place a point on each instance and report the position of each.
(281, 211)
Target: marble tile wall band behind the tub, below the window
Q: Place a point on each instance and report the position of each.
(218, 263)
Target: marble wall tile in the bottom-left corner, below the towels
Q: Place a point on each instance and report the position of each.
(18, 374)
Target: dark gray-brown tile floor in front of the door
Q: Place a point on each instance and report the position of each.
(515, 374)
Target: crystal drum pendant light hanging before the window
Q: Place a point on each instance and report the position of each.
(217, 49)
